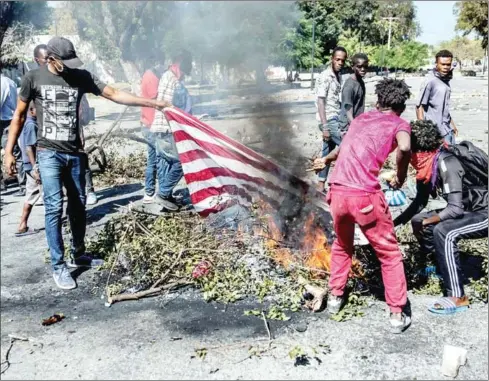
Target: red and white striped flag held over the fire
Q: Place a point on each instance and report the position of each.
(221, 172)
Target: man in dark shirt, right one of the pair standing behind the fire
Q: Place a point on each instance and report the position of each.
(353, 92)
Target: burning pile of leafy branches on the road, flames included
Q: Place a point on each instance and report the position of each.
(260, 257)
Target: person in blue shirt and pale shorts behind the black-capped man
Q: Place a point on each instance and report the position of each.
(27, 144)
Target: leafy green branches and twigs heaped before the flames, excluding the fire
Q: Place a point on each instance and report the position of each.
(148, 255)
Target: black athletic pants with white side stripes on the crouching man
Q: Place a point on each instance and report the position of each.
(442, 238)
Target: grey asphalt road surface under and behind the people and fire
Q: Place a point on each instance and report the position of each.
(156, 338)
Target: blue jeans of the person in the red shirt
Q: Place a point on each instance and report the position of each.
(169, 166)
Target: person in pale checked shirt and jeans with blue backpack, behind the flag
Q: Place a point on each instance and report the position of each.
(171, 90)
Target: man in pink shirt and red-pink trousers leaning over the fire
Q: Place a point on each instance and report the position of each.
(355, 196)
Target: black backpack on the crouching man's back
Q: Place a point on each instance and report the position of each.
(474, 162)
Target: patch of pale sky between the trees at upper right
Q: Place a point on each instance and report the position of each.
(437, 21)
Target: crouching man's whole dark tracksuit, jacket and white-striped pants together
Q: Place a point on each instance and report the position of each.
(464, 217)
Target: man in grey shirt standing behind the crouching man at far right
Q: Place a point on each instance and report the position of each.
(434, 97)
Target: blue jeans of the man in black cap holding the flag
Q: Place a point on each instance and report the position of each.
(68, 169)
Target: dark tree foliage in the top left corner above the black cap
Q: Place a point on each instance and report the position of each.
(18, 21)
